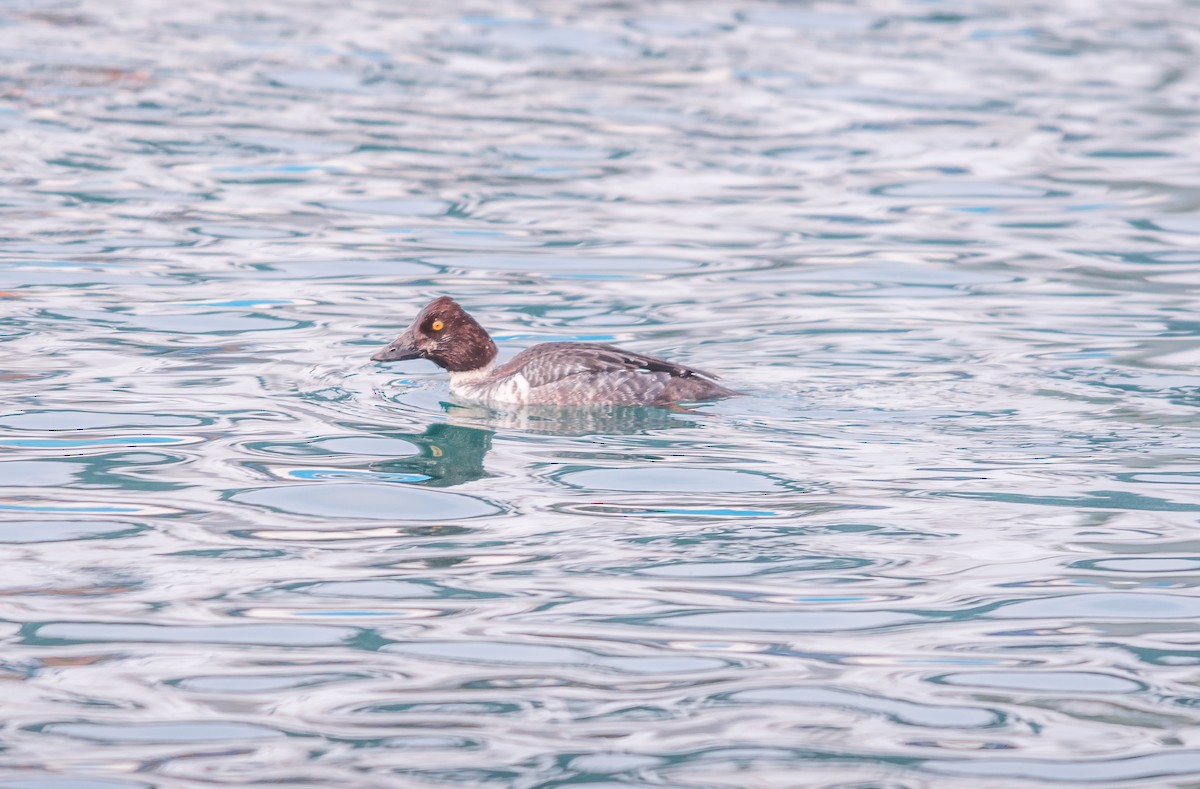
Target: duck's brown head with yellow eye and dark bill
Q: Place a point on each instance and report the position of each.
(447, 336)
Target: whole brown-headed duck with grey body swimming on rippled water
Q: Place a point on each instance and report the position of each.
(547, 375)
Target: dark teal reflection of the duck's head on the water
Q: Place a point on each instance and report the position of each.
(449, 455)
